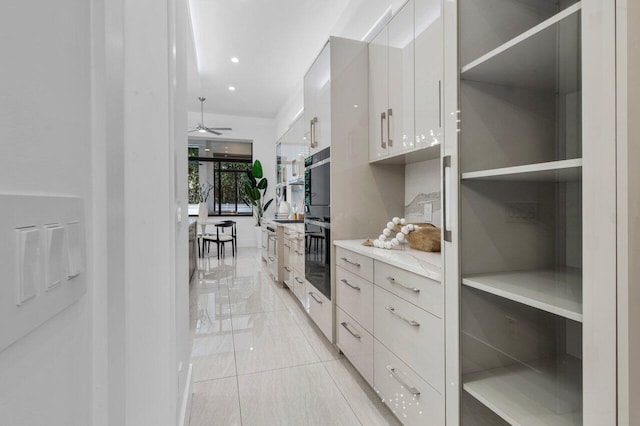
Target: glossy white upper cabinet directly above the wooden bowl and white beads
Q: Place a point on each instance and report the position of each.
(405, 77)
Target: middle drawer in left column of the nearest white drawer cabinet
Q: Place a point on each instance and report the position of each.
(354, 295)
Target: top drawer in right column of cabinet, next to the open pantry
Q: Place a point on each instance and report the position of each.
(421, 291)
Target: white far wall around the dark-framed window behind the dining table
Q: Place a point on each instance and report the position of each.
(262, 132)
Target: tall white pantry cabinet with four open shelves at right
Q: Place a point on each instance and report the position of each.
(529, 212)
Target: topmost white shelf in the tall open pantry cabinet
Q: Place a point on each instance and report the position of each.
(528, 60)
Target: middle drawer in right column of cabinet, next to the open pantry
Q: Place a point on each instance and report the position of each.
(412, 334)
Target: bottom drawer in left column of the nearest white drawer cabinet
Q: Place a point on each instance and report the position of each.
(356, 343)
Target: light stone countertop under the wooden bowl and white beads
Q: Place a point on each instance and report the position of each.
(419, 262)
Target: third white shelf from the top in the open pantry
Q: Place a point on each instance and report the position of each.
(556, 291)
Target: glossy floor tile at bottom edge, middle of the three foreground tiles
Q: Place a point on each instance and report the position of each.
(304, 395)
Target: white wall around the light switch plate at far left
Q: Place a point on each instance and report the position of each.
(45, 133)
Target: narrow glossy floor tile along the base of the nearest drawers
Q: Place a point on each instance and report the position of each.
(363, 400)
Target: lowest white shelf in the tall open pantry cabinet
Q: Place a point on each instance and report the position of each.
(545, 392)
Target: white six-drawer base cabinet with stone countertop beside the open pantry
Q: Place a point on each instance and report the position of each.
(389, 325)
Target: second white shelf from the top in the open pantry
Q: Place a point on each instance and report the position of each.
(554, 171)
